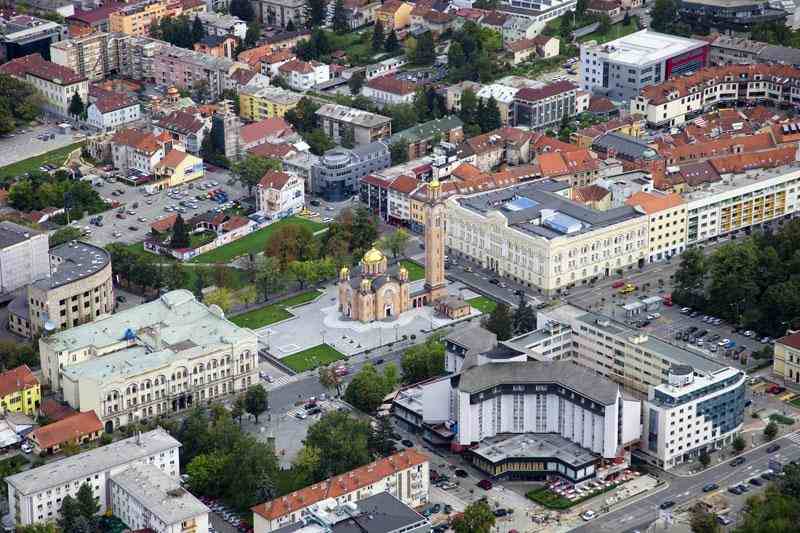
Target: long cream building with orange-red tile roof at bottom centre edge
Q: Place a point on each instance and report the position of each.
(404, 475)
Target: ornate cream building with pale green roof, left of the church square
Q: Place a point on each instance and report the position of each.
(160, 357)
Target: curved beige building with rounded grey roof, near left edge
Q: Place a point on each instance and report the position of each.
(77, 290)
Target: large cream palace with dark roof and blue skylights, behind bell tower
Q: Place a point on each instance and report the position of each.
(533, 233)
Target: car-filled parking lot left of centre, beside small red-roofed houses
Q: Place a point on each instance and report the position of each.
(151, 208)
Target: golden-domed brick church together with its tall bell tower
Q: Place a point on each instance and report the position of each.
(380, 292)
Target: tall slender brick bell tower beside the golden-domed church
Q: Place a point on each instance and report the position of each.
(434, 242)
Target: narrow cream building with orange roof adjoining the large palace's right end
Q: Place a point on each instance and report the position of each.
(666, 215)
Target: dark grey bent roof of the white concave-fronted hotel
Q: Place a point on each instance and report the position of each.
(565, 373)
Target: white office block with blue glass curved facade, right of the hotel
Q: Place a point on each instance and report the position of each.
(691, 412)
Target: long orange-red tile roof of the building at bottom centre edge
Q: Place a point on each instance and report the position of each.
(341, 484)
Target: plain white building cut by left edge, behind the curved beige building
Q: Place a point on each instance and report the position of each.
(23, 256)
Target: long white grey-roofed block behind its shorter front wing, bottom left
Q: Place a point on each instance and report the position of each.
(35, 495)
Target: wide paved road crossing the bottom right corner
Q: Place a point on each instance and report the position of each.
(639, 515)
